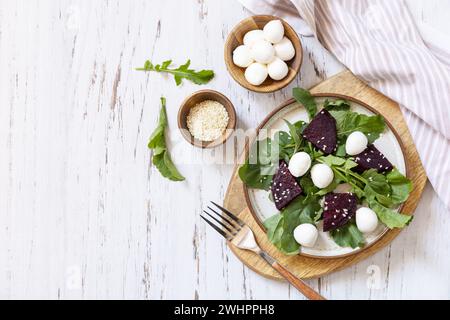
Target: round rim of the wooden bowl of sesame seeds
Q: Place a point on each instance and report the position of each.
(230, 127)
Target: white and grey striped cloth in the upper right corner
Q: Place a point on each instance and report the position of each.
(379, 42)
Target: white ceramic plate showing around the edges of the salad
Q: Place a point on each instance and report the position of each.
(263, 208)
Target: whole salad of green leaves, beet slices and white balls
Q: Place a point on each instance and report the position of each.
(334, 151)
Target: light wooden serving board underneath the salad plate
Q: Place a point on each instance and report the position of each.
(304, 267)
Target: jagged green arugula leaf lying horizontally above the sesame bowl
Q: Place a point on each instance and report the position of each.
(183, 72)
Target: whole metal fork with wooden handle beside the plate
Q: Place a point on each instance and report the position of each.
(235, 231)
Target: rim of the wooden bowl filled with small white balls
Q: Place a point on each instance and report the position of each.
(277, 85)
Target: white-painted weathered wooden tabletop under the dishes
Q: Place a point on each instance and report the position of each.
(84, 215)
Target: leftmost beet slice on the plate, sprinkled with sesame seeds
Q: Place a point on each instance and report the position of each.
(284, 187)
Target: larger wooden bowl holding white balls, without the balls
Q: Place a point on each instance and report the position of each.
(236, 38)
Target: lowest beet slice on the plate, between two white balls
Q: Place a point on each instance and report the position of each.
(339, 209)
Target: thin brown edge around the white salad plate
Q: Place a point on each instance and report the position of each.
(323, 95)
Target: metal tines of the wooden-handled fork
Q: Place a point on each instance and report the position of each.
(228, 226)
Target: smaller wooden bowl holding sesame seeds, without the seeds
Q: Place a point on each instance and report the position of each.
(191, 102)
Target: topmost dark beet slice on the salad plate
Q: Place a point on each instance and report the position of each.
(322, 133)
